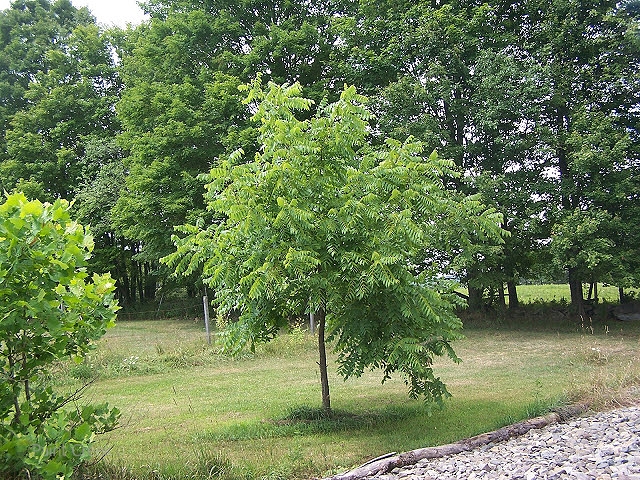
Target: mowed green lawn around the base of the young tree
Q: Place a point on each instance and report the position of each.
(181, 400)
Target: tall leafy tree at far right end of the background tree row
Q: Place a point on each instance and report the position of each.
(590, 55)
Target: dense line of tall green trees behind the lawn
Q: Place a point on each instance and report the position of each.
(536, 103)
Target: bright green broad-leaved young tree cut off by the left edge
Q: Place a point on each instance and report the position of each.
(49, 310)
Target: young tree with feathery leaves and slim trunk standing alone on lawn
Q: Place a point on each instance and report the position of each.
(319, 221)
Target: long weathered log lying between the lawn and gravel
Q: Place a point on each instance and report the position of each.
(388, 462)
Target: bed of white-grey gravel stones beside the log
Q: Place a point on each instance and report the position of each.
(603, 446)
